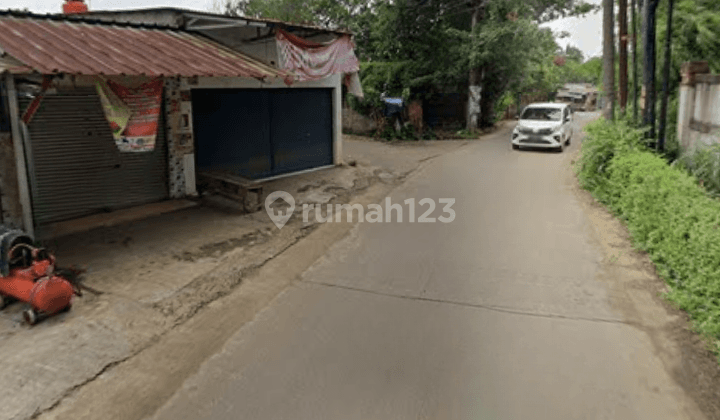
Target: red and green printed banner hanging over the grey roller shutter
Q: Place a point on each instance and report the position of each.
(133, 113)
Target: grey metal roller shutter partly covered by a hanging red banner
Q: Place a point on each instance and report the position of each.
(79, 170)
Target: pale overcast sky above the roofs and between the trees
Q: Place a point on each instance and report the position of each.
(585, 33)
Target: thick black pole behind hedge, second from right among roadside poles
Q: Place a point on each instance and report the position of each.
(649, 7)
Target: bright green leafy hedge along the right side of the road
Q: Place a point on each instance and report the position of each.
(668, 213)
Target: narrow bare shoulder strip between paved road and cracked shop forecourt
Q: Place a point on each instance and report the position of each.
(137, 386)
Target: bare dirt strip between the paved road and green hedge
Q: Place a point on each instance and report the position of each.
(632, 275)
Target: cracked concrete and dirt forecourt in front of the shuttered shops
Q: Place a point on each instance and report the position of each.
(156, 274)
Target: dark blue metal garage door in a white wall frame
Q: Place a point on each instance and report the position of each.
(259, 133)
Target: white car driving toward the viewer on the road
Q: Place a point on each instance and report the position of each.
(544, 125)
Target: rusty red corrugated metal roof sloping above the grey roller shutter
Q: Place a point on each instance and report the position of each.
(61, 46)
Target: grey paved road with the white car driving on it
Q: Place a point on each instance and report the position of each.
(497, 315)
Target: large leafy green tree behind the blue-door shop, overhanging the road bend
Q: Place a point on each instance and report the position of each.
(431, 43)
